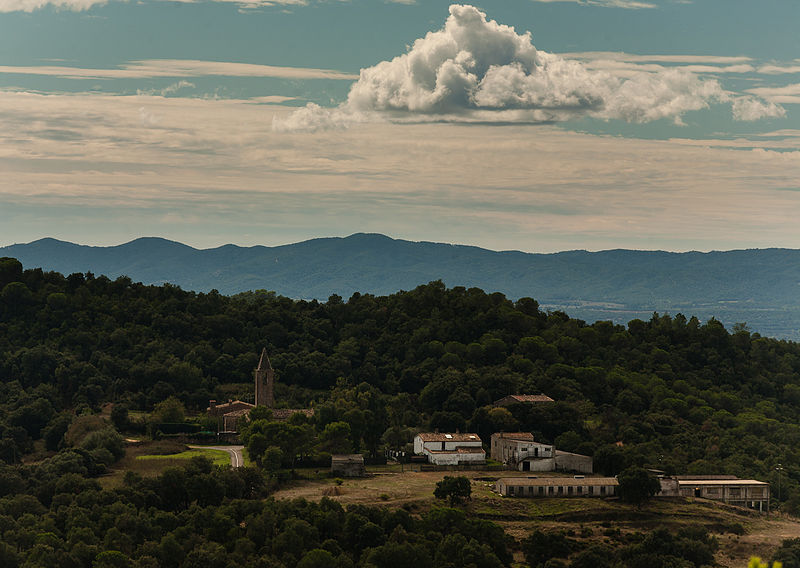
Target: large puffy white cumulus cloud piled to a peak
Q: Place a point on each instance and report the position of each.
(475, 69)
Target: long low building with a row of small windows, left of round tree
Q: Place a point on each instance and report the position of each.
(557, 486)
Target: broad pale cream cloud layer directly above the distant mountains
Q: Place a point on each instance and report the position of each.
(207, 171)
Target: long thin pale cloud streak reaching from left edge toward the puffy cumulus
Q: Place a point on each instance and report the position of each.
(149, 68)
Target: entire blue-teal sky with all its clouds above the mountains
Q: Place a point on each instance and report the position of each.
(534, 125)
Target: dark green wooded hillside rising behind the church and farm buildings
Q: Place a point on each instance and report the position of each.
(687, 397)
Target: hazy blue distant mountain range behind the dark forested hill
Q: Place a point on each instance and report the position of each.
(760, 287)
